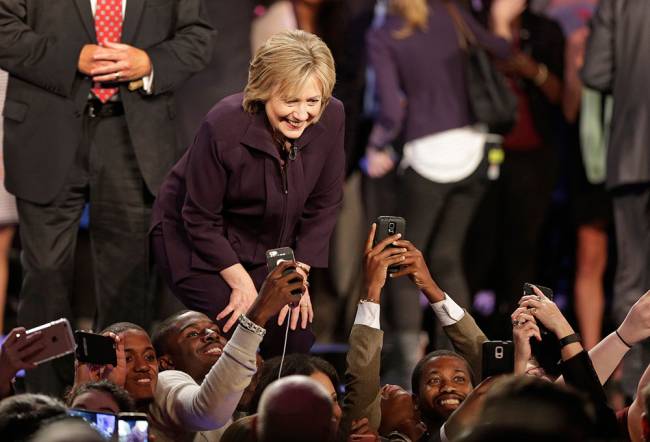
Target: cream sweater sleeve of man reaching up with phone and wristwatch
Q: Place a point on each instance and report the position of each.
(210, 405)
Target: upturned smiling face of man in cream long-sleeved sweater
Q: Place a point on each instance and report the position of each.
(197, 345)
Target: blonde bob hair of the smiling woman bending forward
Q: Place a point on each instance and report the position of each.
(284, 64)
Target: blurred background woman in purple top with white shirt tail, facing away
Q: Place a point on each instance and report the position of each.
(424, 102)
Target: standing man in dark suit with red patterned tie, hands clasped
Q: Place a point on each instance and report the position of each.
(89, 118)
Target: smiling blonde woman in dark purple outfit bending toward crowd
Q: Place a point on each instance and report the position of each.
(265, 171)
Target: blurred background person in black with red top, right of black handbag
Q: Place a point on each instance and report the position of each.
(511, 216)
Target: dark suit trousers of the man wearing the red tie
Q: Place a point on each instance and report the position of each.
(106, 175)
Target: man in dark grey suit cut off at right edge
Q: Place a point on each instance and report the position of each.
(616, 62)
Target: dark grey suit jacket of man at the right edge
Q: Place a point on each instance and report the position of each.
(616, 61)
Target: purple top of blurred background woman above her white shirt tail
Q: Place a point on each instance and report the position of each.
(421, 82)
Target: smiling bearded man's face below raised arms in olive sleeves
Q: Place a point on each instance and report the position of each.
(444, 385)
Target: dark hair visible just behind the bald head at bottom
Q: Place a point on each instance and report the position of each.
(296, 363)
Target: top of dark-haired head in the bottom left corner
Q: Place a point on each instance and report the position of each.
(22, 415)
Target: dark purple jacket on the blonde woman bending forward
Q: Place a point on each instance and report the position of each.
(226, 200)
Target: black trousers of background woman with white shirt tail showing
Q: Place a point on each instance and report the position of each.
(437, 216)
